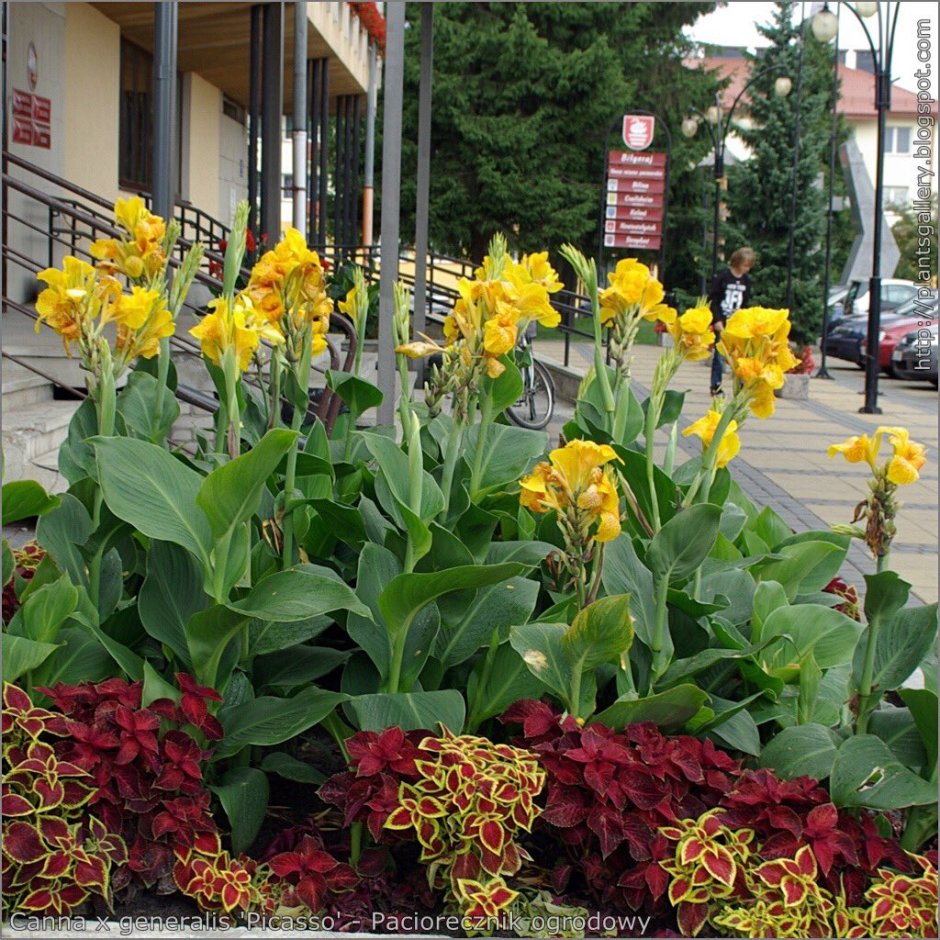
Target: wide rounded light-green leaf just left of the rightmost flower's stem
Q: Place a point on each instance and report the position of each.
(828, 633)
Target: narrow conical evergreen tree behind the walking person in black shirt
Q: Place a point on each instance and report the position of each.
(760, 189)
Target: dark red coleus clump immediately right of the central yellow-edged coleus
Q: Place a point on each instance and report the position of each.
(608, 793)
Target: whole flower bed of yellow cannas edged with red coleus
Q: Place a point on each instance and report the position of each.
(365, 676)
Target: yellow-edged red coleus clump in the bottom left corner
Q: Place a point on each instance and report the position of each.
(55, 854)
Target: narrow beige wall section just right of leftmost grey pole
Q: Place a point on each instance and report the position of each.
(202, 116)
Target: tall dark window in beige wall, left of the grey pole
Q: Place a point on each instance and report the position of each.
(135, 166)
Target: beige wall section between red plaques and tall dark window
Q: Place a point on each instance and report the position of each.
(92, 99)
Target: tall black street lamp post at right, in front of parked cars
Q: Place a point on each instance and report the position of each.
(887, 13)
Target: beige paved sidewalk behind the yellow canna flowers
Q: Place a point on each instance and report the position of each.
(783, 462)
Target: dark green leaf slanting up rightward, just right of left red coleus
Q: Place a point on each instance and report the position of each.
(270, 720)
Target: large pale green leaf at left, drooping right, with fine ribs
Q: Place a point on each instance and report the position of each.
(153, 491)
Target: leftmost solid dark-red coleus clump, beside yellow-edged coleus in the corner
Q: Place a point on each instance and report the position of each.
(144, 765)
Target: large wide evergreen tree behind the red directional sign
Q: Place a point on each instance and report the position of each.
(523, 96)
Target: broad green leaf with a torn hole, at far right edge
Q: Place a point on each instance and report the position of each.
(866, 773)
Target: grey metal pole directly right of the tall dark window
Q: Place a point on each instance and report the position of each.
(164, 107)
